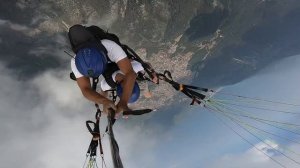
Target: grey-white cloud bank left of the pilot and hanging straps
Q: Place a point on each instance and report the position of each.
(39, 118)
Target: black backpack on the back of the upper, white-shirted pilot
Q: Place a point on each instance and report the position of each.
(81, 37)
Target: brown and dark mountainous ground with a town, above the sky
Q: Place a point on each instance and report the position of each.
(205, 42)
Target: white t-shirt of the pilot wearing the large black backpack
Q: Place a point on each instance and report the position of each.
(114, 52)
